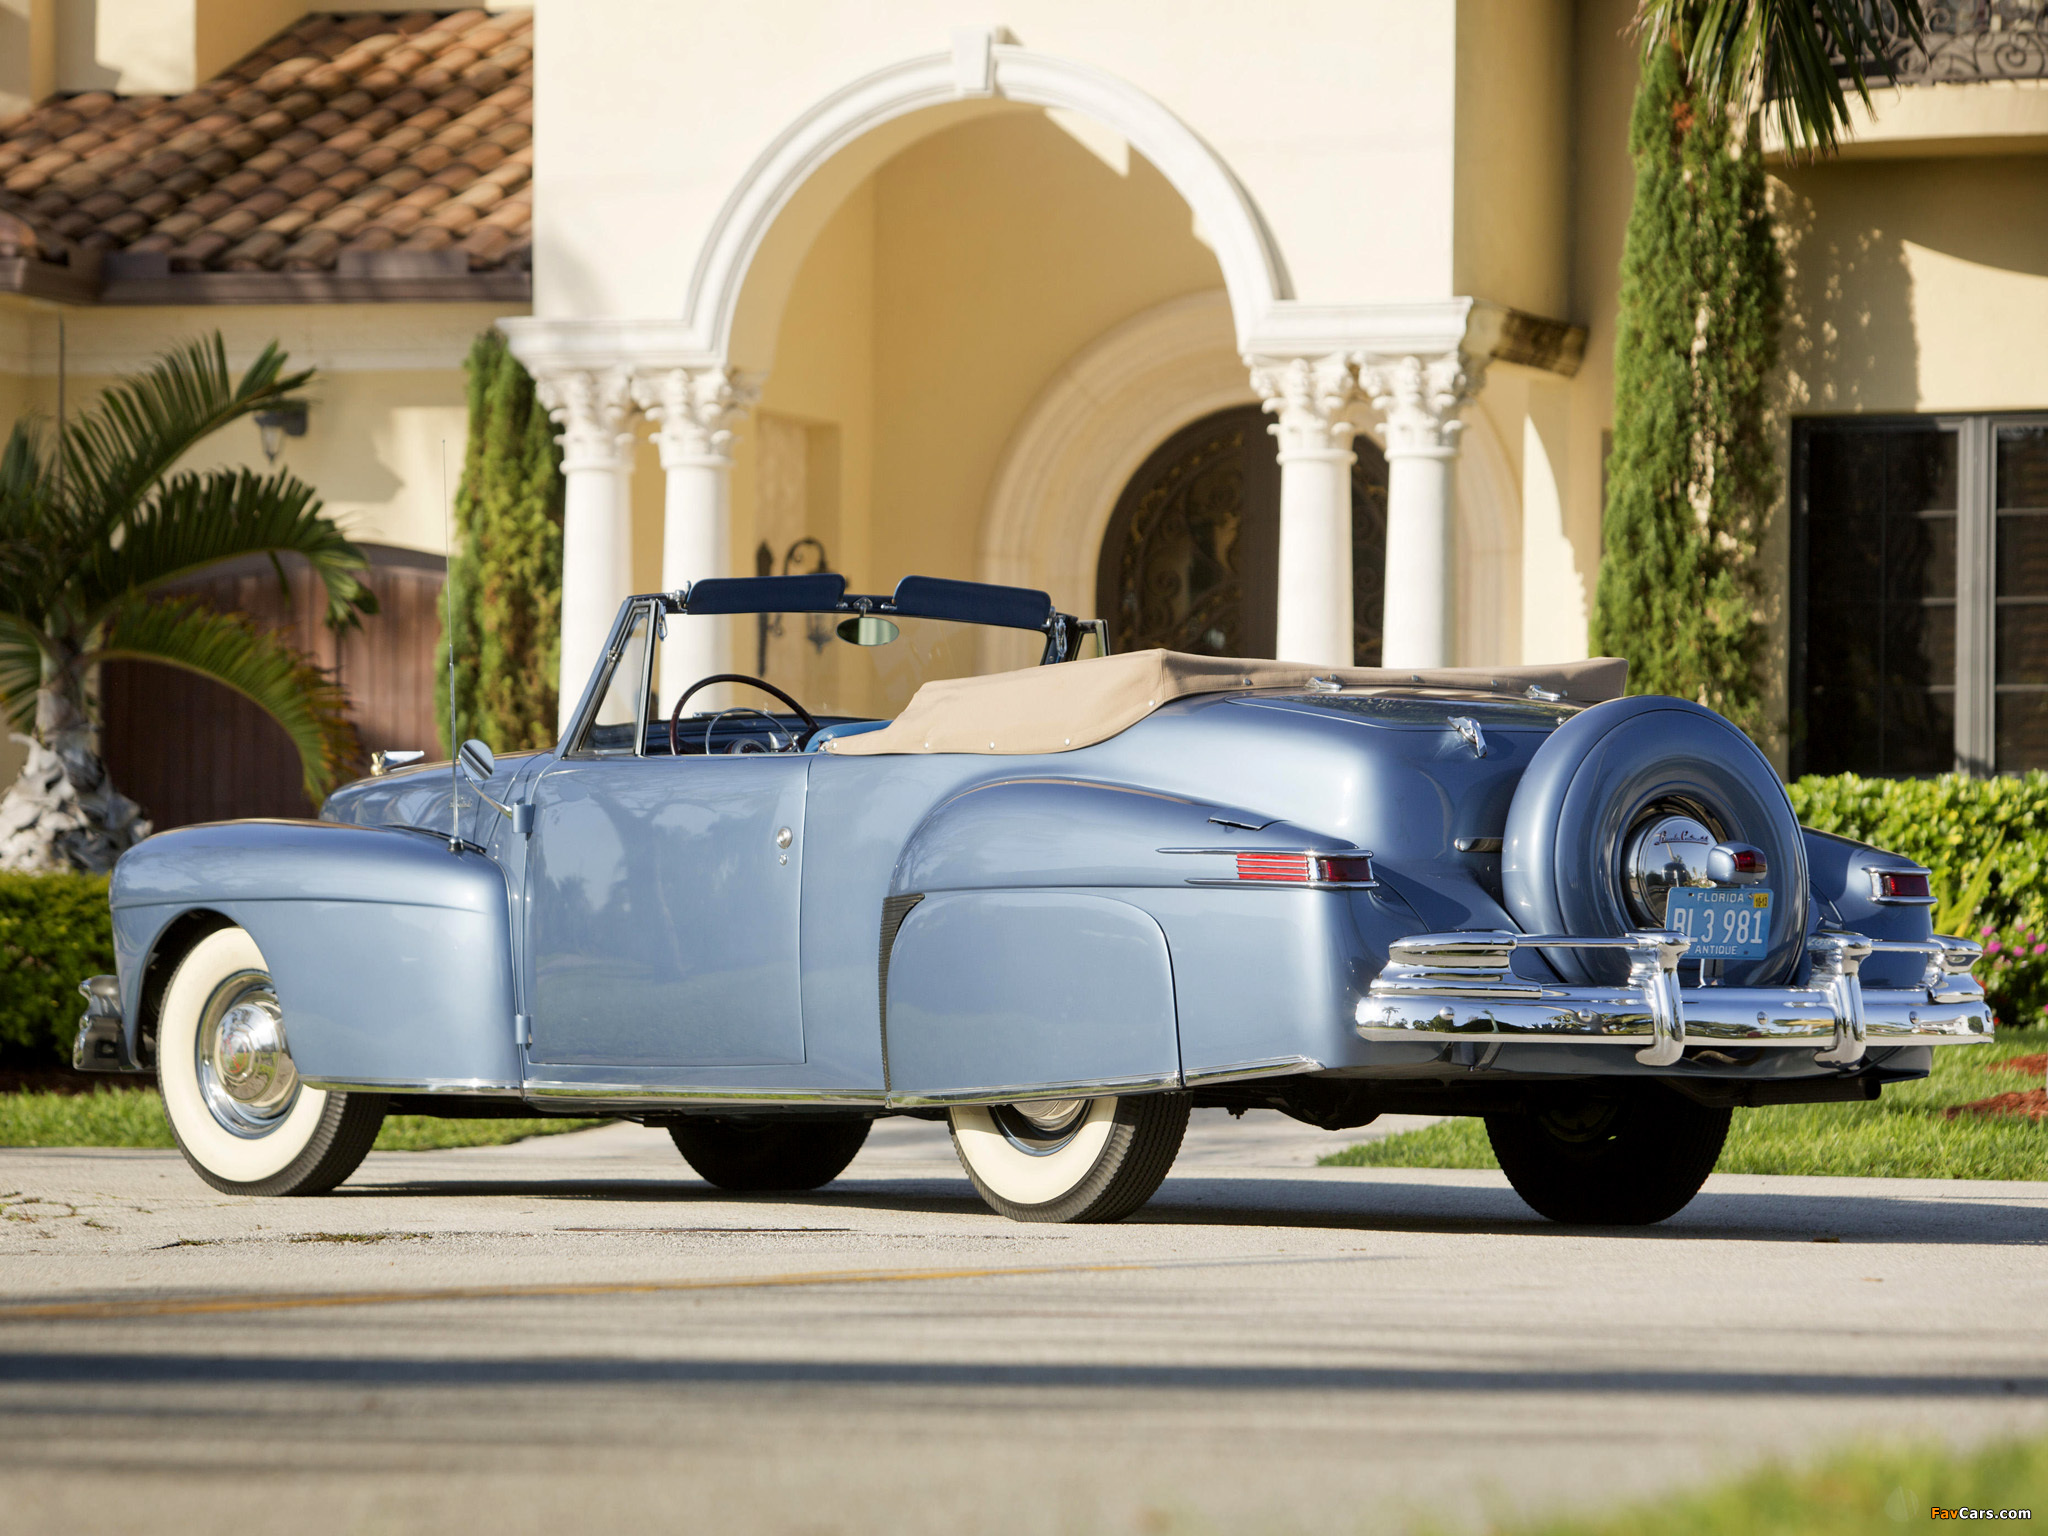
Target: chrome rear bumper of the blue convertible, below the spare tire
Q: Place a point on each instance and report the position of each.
(1463, 988)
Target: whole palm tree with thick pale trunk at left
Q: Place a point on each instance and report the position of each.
(95, 523)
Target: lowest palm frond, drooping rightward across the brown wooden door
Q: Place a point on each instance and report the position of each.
(237, 654)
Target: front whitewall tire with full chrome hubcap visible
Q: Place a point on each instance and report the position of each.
(230, 1089)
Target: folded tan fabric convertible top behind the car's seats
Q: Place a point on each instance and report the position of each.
(1078, 703)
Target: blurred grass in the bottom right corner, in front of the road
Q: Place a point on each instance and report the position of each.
(1859, 1492)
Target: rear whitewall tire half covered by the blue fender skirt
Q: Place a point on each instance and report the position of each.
(1070, 1160)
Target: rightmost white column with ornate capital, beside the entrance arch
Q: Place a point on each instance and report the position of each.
(1420, 402)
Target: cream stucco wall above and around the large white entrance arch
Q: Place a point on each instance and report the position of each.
(1340, 124)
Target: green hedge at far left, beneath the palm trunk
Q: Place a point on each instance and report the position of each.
(54, 933)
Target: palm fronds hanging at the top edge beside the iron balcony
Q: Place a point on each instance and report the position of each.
(1785, 58)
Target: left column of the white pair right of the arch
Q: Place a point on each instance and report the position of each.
(1308, 396)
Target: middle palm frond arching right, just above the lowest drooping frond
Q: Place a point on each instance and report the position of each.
(200, 519)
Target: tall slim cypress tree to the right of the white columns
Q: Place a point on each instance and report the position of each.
(1691, 480)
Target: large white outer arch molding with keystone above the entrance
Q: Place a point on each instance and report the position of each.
(982, 71)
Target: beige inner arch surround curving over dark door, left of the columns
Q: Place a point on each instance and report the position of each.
(1091, 429)
